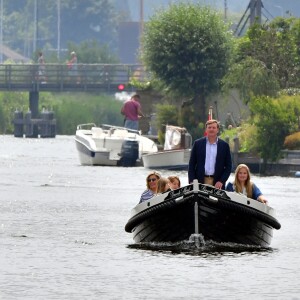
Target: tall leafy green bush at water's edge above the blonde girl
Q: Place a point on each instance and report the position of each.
(274, 121)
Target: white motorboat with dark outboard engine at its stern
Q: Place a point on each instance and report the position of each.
(109, 145)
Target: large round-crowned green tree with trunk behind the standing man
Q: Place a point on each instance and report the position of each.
(188, 48)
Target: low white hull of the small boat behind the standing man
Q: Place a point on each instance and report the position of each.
(168, 159)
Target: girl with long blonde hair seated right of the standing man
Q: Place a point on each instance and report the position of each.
(242, 184)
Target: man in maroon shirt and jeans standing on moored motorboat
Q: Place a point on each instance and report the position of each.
(132, 112)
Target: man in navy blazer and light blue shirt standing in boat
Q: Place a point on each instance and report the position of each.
(210, 161)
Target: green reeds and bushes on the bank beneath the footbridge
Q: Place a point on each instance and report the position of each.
(70, 109)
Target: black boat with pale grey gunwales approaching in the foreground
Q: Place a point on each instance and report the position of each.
(217, 215)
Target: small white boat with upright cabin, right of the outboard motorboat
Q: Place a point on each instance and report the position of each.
(176, 152)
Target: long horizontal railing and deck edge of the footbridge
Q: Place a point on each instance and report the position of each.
(58, 77)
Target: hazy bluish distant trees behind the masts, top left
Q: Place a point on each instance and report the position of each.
(80, 21)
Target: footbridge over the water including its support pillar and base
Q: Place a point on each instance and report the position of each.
(35, 78)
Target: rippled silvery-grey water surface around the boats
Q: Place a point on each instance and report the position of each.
(62, 236)
